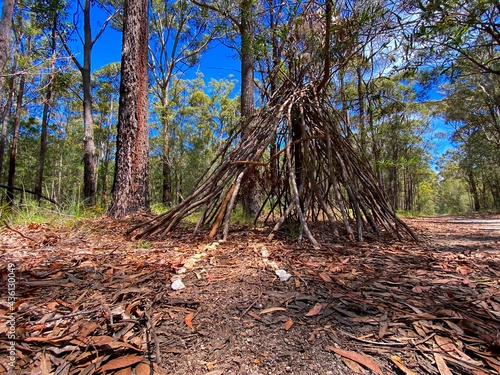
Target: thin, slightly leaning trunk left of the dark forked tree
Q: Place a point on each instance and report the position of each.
(45, 117)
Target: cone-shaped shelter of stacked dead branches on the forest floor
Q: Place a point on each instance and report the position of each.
(318, 175)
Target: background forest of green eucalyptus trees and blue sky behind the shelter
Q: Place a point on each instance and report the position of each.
(396, 68)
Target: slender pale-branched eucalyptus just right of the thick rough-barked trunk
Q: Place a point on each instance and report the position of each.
(180, 33)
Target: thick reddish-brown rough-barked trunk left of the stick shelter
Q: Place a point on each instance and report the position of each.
(130, 187)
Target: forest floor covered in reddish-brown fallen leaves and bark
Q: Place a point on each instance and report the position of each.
(89, 300)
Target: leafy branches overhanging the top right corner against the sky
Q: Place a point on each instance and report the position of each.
(445, 30)
